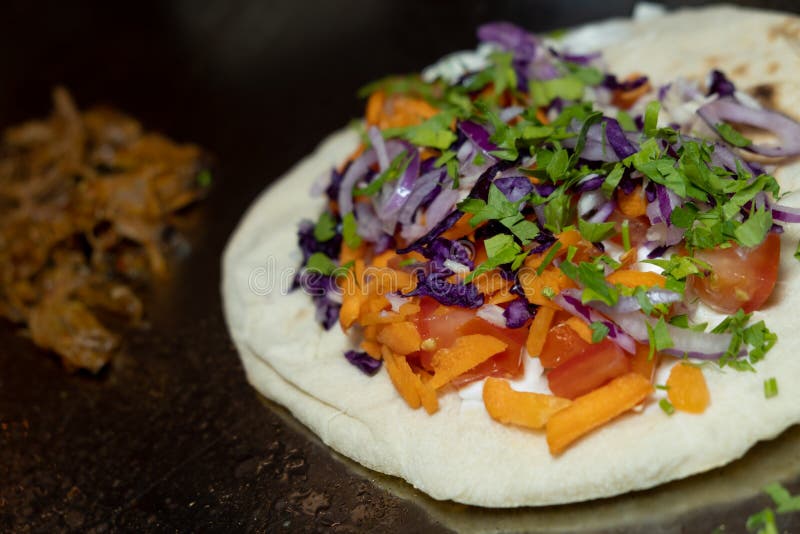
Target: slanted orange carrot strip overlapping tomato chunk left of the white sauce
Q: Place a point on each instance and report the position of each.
(463, 355)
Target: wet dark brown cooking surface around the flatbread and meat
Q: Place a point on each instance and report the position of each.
(171, 437)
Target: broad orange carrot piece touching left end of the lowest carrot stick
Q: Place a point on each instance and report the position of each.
(531, 410)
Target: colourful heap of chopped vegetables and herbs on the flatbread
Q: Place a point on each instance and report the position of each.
(526, 200)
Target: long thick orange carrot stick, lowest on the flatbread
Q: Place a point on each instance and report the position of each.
(595, 409)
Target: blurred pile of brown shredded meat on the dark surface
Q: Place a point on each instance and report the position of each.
(86, 199)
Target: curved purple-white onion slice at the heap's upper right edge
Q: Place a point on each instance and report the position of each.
(728, 109)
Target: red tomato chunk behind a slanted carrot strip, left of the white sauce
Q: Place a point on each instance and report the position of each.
(507, 364)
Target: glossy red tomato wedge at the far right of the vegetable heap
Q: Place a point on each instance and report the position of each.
(740, 277)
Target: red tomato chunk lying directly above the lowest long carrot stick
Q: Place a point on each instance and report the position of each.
(589, 370)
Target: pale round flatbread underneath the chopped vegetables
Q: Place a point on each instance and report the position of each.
(460, 453)
